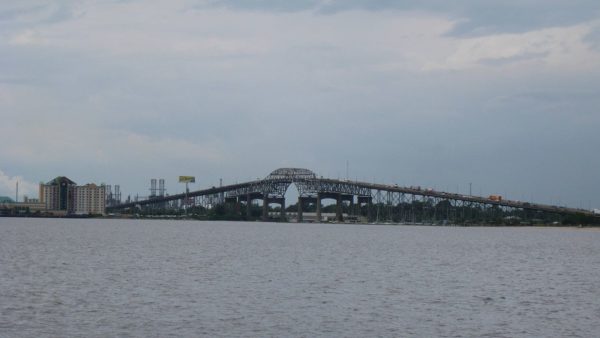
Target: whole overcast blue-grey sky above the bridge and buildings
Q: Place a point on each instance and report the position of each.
(501, 94)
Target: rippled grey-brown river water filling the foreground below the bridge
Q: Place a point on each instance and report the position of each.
(151, 278)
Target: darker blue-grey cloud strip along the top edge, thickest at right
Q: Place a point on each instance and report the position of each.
(476, 17)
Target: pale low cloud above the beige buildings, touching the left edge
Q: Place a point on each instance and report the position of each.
(58, 143)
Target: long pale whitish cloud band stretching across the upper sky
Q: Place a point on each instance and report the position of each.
(205, 40)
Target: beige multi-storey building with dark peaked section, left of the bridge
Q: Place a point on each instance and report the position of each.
(63, 197)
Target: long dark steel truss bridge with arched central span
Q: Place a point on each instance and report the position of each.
(382, 202)
